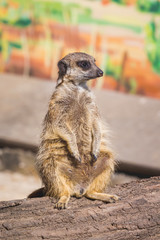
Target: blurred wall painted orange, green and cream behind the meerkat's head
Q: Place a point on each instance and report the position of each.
(123, 36)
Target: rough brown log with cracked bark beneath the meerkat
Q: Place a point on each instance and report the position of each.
(135, 216)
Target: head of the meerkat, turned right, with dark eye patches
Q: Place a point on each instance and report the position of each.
(78, 67)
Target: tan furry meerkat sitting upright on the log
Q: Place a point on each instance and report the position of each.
(74, 157)
